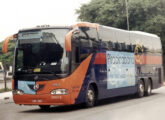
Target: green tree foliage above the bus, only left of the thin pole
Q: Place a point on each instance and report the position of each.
(105, 12)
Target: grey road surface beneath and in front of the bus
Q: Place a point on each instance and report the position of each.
(120, 108)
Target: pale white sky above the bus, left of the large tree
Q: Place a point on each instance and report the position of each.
(18, 14)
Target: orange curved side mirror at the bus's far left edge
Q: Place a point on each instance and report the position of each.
(6, 42)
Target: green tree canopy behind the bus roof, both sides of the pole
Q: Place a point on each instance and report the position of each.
(144, 15)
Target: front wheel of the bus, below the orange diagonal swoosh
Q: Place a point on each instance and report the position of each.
(90, 97)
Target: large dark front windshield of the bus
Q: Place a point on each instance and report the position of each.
(41, 52)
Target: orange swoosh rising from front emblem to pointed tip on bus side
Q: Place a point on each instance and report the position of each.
(73, 82)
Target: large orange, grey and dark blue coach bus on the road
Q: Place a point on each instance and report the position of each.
(83, 63)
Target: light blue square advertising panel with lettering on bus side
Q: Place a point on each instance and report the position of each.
(120, 69)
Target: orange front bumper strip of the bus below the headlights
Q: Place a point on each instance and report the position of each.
(45, 99)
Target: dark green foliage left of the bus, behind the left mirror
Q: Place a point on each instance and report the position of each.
(7, 59)
